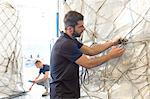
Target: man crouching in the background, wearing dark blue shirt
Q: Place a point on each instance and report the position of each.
(45, 80)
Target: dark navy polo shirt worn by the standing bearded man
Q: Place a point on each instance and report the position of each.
(64, 70)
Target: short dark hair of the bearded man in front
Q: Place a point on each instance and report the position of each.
(71, 18)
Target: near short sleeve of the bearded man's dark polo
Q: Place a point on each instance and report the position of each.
(71, 51)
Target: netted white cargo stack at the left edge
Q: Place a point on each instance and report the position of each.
(10, 52)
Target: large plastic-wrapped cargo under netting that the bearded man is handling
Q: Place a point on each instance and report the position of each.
(127, 77)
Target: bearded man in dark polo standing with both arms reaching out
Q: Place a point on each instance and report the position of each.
(67, 54)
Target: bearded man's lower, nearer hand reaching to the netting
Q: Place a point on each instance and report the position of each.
(116, 52)
